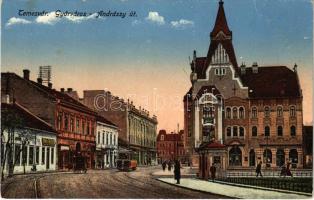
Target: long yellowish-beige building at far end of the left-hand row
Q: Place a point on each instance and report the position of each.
(136, 128)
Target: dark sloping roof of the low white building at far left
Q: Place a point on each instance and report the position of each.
(29, 120)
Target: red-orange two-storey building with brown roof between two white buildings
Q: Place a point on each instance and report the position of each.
(74, 122)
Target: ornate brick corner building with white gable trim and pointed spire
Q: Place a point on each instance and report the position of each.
(236, 116)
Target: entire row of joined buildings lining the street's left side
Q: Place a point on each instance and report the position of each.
(50, 128)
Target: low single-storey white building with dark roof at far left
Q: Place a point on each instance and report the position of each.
(37, 156)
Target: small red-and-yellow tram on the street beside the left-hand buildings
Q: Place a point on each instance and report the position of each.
(125, 162)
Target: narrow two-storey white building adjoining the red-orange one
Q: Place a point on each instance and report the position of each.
(106, 144)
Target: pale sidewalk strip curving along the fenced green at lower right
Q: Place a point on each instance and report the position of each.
(231, 190)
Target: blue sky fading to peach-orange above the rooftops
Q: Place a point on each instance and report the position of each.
(145, 57)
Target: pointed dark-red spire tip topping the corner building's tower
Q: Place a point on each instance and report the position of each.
(221, 22)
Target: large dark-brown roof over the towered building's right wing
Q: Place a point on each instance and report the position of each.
(271, 82)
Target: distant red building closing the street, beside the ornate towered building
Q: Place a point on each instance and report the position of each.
(170, 146)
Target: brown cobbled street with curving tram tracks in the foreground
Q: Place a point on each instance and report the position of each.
(96, 184)
